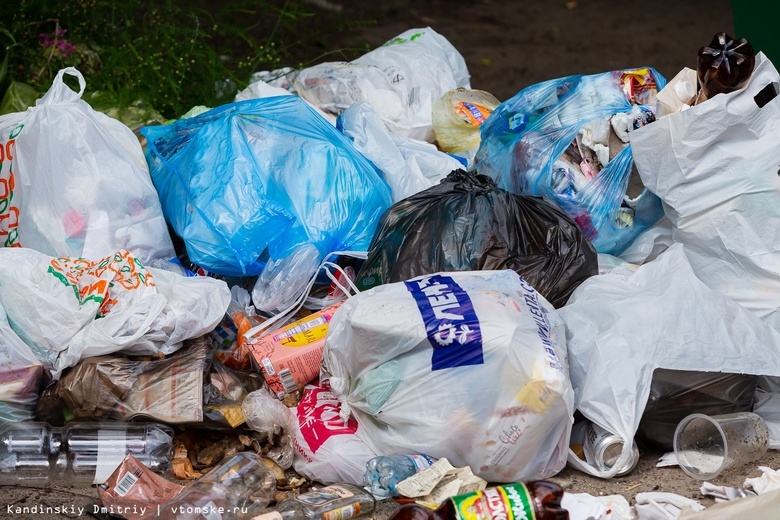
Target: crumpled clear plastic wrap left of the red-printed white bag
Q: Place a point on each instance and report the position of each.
(269, 416)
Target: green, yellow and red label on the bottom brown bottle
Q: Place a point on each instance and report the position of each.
(509, 502)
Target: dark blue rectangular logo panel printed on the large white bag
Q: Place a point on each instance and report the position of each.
(450, 320)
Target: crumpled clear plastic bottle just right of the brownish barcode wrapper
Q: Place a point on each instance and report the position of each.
(239, 487)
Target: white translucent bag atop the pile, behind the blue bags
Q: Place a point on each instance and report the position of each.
(401, 80)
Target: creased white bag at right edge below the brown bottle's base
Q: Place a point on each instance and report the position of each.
(715, 167)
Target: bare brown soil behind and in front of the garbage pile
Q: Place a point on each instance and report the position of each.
(509, 45)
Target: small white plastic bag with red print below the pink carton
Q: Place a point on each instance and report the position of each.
(327, 448)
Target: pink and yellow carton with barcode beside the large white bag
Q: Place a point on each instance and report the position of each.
(290, 357)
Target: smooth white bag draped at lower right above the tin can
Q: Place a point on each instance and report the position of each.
(621, 327)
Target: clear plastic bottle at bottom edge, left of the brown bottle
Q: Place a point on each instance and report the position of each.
(334, 502)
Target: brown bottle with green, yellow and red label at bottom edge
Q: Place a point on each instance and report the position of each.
(535, 500)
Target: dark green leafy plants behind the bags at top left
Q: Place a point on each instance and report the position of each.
(168, 54)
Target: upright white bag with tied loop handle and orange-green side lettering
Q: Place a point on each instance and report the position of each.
(74, 182)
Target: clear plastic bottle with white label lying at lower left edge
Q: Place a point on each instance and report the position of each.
(35, 452)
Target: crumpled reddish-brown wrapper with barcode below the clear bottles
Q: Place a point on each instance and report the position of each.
(135, 490)
